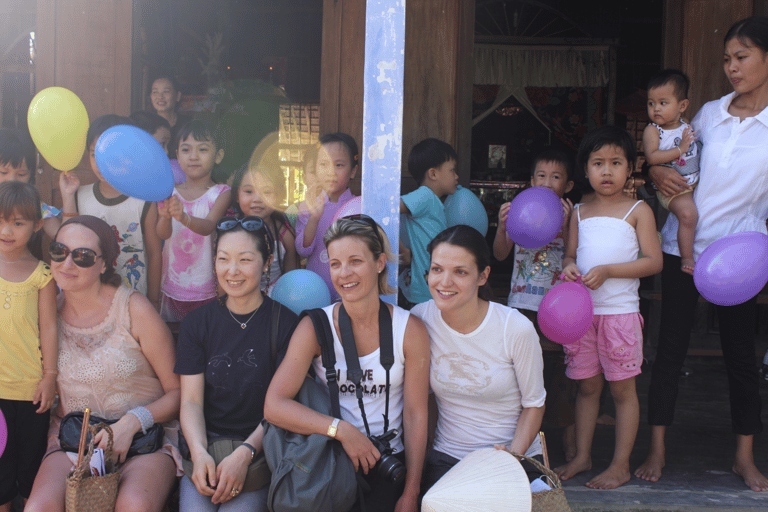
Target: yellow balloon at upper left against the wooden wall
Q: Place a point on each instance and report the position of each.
(58, 124)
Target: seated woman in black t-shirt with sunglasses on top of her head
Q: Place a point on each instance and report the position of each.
(224, 359)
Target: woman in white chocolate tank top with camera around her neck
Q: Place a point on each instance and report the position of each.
(358, 251)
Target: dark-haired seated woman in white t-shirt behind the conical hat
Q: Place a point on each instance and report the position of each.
(486, 364)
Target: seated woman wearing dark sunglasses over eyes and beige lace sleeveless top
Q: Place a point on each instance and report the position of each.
(116, 358)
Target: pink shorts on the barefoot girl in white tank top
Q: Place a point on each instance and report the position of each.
(612, 346)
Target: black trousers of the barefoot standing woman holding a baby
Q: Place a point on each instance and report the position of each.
(737, 339)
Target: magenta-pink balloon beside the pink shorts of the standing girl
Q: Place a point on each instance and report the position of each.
(566, 312)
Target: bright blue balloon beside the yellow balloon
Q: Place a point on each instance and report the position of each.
(133, 162)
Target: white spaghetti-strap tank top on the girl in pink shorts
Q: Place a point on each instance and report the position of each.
(606, 240)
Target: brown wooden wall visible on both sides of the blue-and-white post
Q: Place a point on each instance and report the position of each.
(438, 75)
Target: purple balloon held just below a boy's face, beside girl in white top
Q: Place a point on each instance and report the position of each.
(535, 217)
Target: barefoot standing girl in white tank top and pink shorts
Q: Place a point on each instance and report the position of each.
(606, 235)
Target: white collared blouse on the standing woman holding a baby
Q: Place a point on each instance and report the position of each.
(732, 195)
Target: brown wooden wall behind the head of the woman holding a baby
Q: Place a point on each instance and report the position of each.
(694, 31)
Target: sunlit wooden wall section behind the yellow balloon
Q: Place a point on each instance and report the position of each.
(85, 46)
